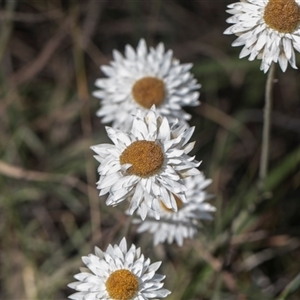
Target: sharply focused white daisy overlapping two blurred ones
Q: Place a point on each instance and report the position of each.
(146, 164)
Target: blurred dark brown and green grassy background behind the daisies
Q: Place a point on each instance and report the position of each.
(50, 211)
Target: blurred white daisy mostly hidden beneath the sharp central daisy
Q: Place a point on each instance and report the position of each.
(176, 226)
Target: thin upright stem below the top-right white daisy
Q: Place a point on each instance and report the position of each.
(264, 158)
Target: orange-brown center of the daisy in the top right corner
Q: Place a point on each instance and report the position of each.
(282, 15)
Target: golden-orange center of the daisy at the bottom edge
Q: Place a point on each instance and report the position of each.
(121, 285)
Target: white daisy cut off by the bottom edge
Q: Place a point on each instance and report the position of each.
(118, 274)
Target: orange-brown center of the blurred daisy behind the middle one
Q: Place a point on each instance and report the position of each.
(148, 91)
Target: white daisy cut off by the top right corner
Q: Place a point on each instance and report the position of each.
(268, 29)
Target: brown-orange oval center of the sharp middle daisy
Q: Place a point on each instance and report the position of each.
(146, 158)
